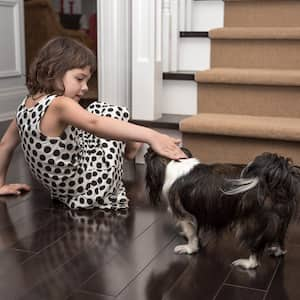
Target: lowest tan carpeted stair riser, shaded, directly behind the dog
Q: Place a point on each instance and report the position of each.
(228, 149)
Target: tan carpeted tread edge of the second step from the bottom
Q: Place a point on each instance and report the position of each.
(276, 77)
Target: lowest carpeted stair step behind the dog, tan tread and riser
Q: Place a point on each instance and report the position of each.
(239, 138)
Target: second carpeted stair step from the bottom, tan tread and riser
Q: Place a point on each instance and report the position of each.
(257, 92)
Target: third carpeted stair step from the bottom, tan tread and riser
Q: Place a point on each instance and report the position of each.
(260, 47)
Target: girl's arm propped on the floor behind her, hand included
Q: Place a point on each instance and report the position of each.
(8, 144)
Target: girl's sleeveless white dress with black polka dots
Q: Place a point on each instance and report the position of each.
(78, 168)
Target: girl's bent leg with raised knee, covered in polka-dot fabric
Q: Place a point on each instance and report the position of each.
(102, 164)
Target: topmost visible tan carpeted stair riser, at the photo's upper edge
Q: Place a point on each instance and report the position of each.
(262, 13)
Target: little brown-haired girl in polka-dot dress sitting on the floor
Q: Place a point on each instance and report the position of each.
(76, 154)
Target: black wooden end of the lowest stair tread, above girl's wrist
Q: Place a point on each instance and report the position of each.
(167, 121)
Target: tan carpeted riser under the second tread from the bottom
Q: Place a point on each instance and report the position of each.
(254, 100)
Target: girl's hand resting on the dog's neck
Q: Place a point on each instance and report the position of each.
(167, 146)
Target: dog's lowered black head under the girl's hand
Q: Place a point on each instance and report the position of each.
(155, 173)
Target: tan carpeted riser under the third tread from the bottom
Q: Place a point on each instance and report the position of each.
(244, 53)
